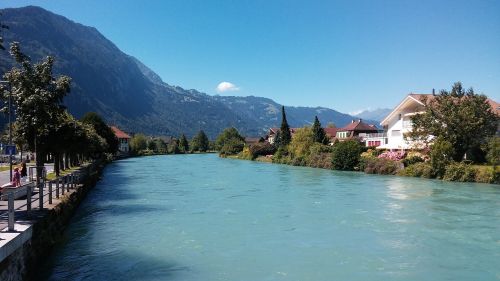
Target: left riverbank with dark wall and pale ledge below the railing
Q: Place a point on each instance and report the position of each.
(37, 231)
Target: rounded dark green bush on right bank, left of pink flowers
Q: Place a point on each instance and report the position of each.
(346, 154)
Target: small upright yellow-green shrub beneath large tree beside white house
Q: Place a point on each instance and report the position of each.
(441, 156)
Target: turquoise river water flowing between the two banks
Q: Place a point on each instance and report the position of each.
(199, 217)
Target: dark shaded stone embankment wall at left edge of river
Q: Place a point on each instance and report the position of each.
(47, 230)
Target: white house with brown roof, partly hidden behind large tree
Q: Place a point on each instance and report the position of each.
(398, 123)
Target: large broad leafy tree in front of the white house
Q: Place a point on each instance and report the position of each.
(461, 117)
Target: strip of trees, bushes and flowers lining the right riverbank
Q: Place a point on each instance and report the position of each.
(464, 148)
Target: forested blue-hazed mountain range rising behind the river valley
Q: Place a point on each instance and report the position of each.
(129, 94)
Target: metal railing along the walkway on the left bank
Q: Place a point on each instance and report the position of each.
(20, 199)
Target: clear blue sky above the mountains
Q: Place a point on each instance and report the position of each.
(346, 55)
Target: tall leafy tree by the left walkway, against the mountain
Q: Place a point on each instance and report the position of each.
(37, 97)
